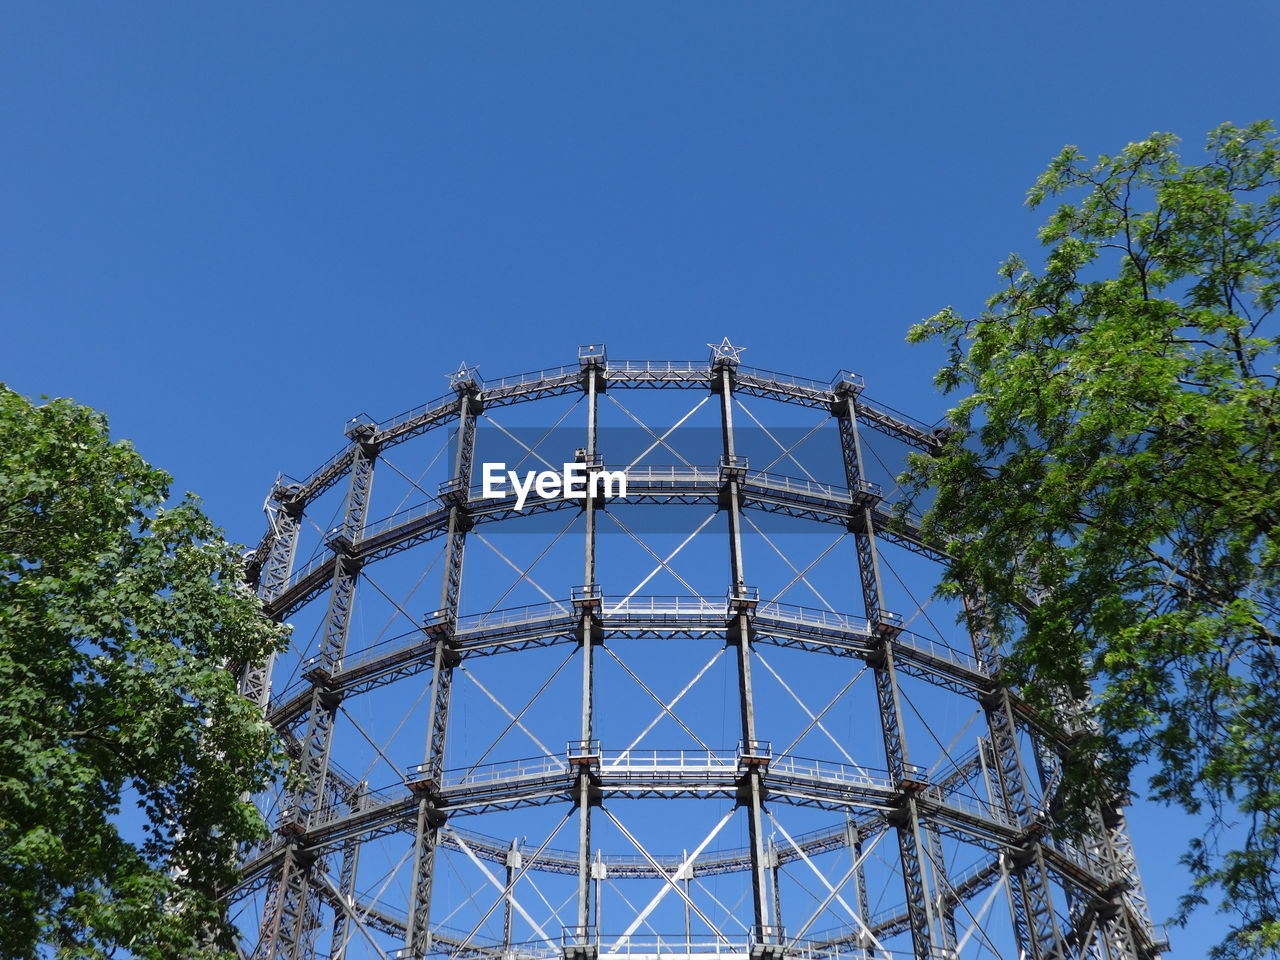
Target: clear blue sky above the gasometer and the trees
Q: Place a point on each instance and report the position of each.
(235, 226)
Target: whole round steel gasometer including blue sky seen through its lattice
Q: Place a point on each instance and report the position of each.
(911, 834)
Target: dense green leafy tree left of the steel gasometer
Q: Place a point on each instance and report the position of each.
(117, 616)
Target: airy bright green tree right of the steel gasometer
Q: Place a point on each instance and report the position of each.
(1110, 486)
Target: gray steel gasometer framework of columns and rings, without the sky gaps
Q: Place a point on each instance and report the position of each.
(1064, 899)
